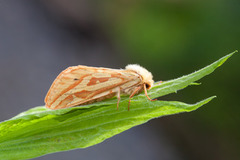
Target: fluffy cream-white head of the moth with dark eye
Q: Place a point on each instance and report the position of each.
(147, 77)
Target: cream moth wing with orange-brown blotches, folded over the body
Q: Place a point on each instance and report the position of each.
(81, 84)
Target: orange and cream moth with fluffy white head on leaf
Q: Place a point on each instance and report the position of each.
(80, 85)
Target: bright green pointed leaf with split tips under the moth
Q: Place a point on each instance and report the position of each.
(41, 131)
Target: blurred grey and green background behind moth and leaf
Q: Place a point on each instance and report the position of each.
(171, 38)
